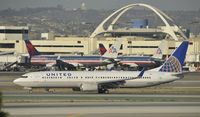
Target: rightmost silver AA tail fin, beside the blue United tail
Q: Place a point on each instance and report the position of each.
(159, 51)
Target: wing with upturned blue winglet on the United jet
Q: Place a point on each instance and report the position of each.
(117, 82)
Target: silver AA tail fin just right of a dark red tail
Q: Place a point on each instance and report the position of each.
(114, 49)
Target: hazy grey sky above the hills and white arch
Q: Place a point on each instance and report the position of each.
(101, 4)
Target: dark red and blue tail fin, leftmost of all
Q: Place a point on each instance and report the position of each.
(31, 49)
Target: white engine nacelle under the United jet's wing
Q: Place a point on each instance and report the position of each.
(89, 87)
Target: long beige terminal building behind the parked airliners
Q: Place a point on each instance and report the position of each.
(131, 45)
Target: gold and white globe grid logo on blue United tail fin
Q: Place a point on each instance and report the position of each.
(171, 65)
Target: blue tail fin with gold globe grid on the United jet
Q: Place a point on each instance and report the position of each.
(176, 61)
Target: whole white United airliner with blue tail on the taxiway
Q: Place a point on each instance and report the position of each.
(102, 81)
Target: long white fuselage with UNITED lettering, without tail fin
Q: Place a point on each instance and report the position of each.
(73, 79)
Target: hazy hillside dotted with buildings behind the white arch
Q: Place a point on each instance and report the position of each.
(83, 22)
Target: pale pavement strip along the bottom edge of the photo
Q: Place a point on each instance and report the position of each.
(105, 109)
